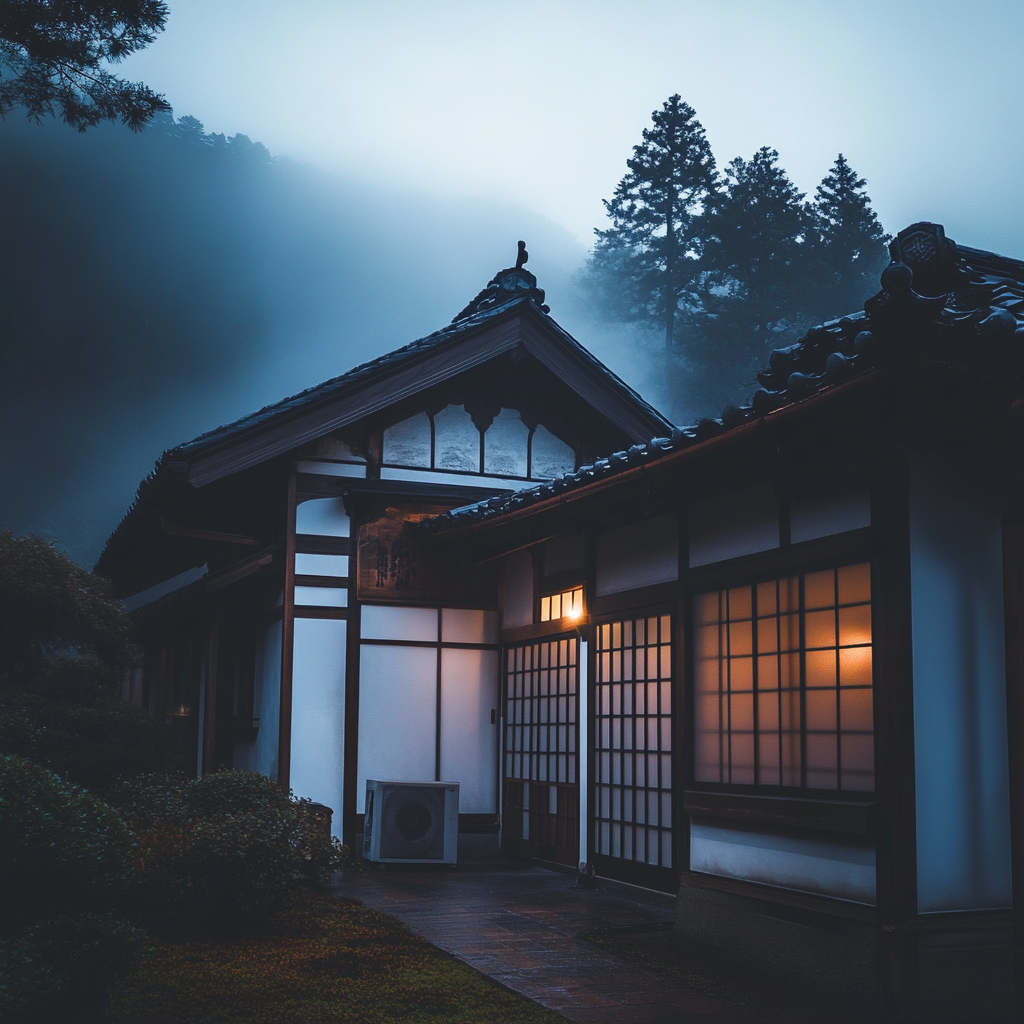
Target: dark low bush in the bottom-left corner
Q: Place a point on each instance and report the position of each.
(60, 971)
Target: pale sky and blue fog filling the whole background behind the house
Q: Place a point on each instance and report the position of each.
(153, 287)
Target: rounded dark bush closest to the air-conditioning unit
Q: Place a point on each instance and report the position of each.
(226, 847)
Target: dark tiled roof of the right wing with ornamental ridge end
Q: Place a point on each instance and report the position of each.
(972, 314)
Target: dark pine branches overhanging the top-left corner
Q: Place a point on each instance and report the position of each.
(54, 57)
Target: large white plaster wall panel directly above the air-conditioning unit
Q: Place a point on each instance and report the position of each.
(398, 715)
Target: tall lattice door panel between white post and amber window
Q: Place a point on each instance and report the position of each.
(633, 741)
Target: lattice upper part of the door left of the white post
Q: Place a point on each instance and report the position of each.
(541, 731)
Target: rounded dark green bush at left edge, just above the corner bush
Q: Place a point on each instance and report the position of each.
(61, 849)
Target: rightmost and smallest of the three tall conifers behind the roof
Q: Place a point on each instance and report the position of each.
(849, 245)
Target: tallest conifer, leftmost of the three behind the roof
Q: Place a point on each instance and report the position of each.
(647, 268)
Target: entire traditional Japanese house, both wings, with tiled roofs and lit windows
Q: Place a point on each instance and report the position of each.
(773, 662)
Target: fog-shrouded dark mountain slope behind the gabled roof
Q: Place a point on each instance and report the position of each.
(156, 286)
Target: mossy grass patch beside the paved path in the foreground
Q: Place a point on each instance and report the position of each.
(319, 960)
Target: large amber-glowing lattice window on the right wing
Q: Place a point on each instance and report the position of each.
(784, 682)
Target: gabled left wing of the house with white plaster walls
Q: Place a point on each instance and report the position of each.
(292, 626)
